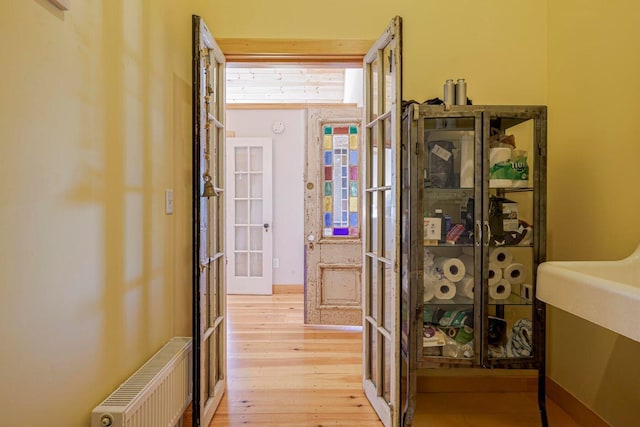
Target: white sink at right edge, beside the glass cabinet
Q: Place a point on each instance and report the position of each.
(606, 293)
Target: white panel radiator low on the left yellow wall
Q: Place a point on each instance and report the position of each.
(156, 395)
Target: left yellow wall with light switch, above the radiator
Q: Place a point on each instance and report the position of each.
(95, 118)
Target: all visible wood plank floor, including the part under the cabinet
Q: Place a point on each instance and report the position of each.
(282, 373)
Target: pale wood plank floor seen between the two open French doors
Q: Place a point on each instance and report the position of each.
(282, 373)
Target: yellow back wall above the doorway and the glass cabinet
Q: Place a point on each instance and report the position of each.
(499, 46)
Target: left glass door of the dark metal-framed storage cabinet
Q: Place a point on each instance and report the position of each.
(451, 329)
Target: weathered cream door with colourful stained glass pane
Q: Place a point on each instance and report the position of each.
(333, 250)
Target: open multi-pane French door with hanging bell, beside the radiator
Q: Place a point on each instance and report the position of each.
(209, 296)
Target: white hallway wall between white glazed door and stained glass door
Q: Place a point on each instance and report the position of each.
(288, 184)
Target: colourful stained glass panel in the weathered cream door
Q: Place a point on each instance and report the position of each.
(340, 166)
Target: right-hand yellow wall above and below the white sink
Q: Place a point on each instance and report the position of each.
(594, 201)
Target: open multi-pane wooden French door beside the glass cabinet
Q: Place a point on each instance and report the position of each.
(381, 224)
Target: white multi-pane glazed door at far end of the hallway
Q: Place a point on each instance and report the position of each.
(249, 216)
